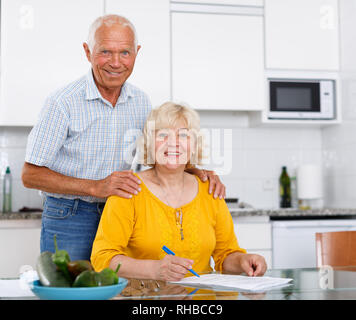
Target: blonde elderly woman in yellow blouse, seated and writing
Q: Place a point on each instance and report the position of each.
(174, 209)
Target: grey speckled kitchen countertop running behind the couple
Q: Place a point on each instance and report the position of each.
(235, 212)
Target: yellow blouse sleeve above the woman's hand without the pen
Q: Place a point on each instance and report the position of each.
(226, 241)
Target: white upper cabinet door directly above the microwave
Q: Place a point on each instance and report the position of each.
(302, 34)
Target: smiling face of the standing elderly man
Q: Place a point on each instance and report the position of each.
(113, 56)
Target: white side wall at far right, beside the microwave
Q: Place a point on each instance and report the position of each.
(339, 142)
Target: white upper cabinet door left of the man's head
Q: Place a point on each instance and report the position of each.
(41, 50)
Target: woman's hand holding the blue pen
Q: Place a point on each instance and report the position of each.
(172, 268)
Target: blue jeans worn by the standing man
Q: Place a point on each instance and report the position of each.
(74, 221)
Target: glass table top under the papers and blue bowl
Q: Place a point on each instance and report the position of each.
(337, 283)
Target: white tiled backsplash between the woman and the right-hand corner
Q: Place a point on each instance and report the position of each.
(258, 155)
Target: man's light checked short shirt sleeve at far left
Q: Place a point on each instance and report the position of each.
(48, 135)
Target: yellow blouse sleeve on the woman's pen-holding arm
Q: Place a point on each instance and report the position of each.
(114, 231)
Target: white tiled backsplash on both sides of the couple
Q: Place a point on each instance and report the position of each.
(257, 157)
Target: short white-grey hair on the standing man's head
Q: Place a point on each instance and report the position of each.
(109, 20)
